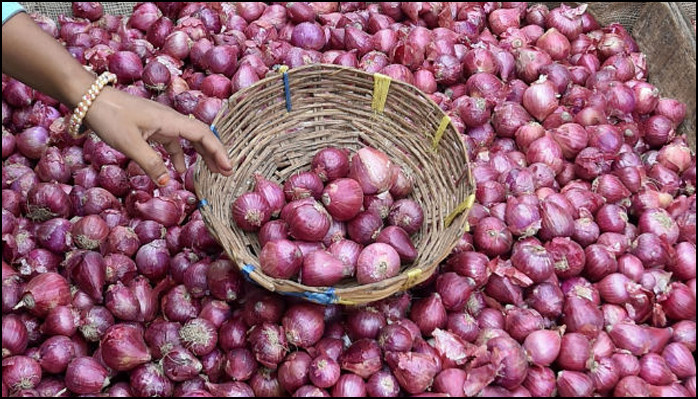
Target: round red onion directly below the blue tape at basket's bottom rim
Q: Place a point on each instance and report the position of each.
(304, 325)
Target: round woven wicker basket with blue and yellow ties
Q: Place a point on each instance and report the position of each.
(276, 126)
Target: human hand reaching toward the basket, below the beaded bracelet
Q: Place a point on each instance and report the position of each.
(127, 123)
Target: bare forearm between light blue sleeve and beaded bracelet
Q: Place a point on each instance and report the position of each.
(38, 60)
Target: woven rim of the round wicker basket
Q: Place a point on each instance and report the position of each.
(408, 277)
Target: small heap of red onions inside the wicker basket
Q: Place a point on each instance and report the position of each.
(347, 217)
